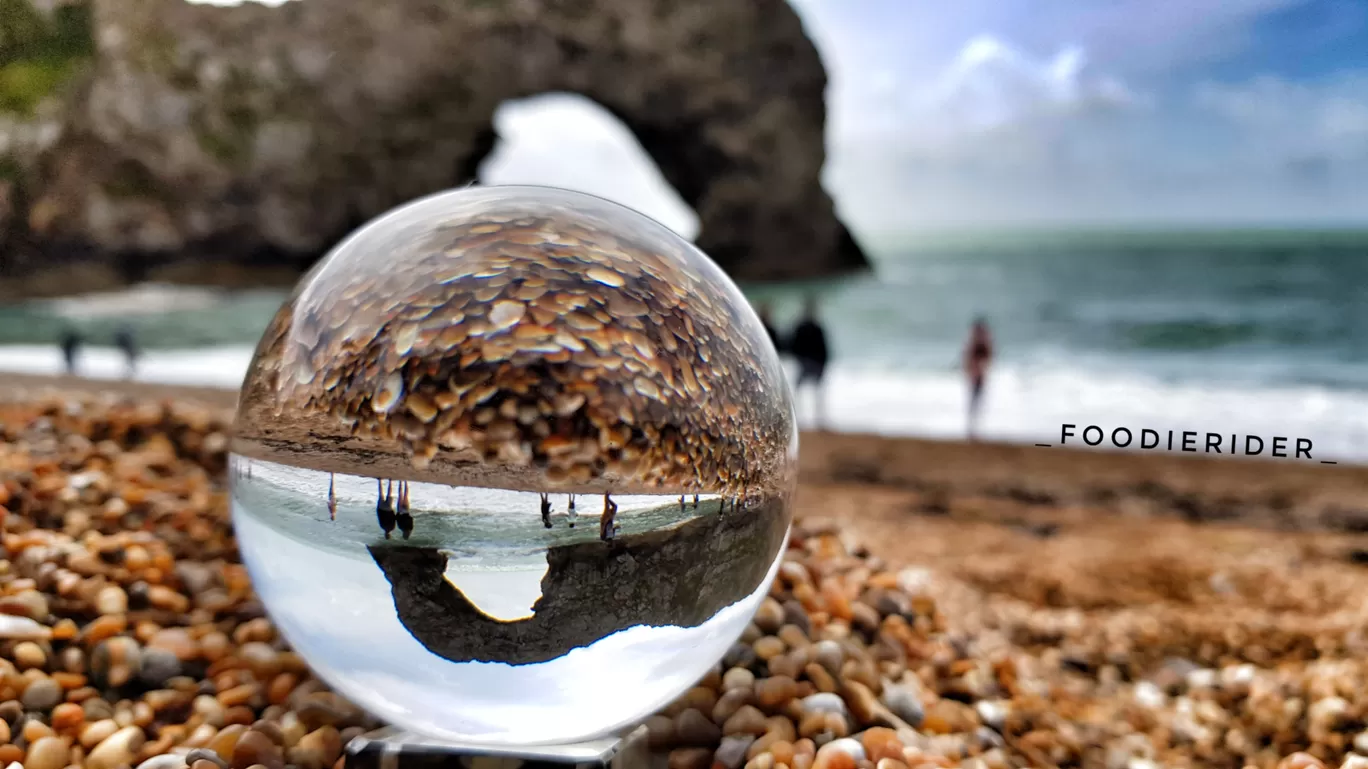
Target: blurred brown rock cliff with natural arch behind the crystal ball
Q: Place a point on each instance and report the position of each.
(221, 144)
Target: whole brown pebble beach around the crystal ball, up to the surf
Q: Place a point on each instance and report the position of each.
(940, 605)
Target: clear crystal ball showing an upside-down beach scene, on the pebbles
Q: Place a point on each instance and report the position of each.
(514, 466)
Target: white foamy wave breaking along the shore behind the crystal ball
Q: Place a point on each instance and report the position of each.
(1021, 404)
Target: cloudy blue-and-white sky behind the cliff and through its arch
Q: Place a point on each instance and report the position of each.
(1040, 113)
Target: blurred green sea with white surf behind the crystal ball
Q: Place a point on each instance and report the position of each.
(1240, 333)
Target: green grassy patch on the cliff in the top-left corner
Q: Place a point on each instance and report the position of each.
(38, 54)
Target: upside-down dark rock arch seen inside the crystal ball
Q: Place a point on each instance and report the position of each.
(681, 577)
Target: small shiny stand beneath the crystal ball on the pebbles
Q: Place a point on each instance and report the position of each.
(396, 749)
